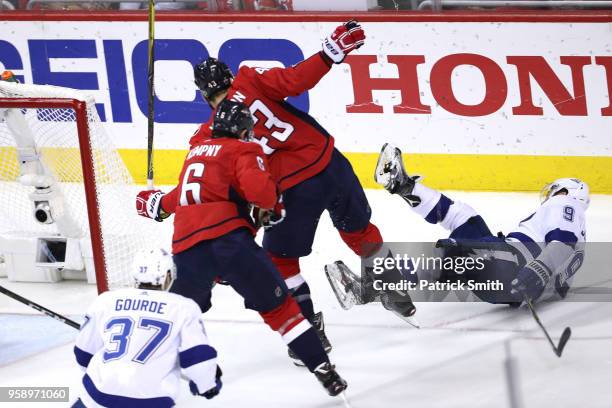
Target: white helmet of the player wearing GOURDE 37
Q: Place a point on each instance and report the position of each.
(154, 267)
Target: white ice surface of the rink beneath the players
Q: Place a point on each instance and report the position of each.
(457, 359)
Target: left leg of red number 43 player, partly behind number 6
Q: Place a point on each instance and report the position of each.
(292, 239)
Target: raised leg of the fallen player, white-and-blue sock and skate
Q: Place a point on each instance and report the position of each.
(436, 208)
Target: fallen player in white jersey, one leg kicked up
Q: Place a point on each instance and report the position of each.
(536, 261)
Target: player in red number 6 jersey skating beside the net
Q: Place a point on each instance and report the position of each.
(214, 234)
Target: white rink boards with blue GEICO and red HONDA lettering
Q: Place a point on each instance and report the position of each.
(473, 88)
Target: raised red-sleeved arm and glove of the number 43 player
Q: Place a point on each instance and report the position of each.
(279, 83)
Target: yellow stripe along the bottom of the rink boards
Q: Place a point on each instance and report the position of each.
(441, 171)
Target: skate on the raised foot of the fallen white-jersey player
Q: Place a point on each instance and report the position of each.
(390, 174)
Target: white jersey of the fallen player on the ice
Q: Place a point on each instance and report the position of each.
(561, 219)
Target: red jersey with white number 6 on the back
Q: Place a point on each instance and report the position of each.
(220, 177)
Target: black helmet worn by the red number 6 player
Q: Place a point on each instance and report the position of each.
(231, 118)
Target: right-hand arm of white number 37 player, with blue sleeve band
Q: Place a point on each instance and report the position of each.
(198, 360)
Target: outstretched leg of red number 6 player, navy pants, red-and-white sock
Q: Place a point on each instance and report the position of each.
(249, 270)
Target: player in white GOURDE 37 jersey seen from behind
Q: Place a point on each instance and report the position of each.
(135, 343)
